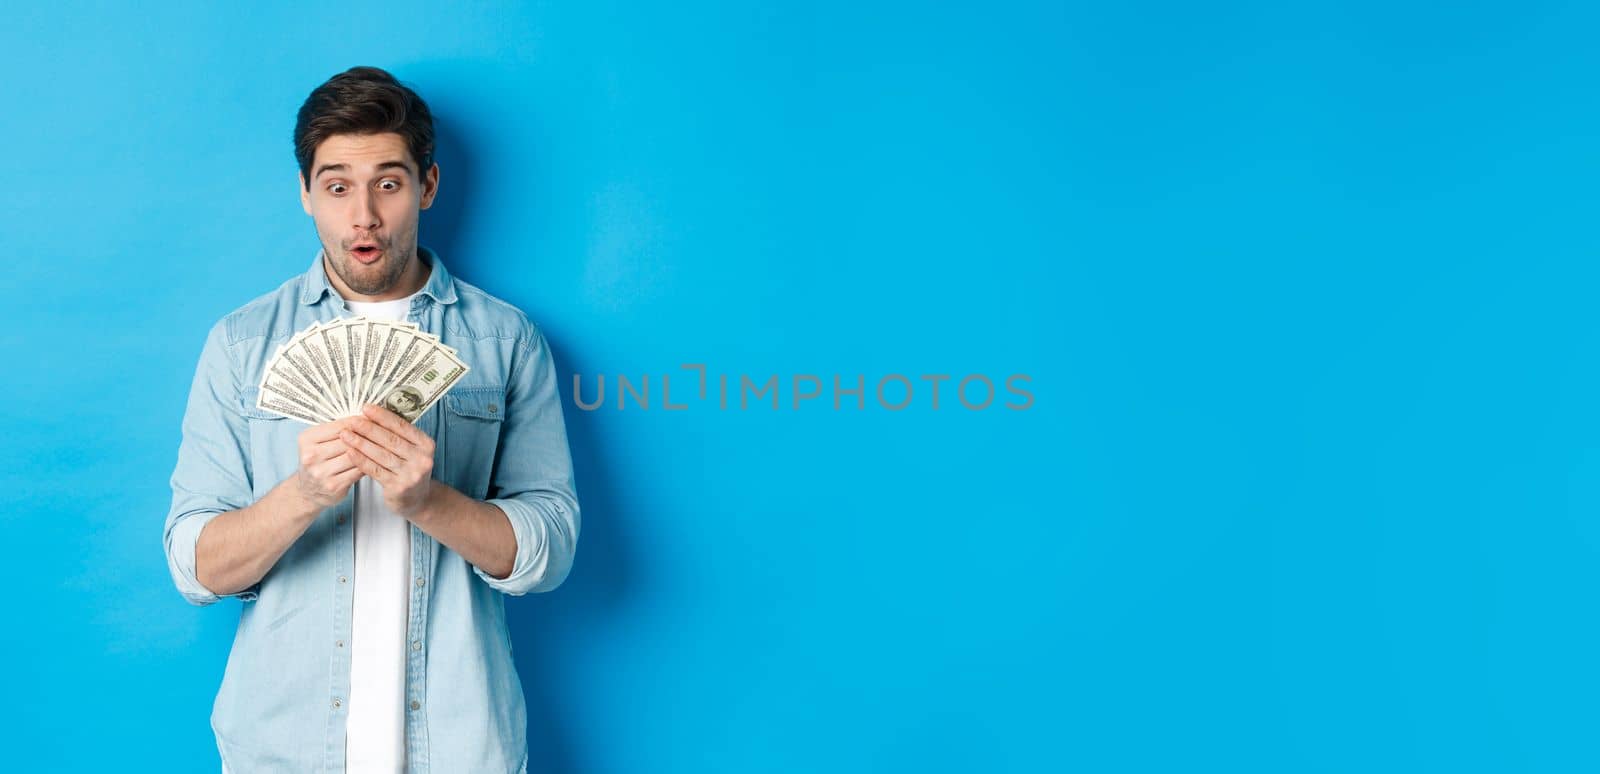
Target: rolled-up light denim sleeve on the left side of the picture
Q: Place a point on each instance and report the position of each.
(214, 468)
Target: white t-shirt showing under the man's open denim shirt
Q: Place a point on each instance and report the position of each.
(375, 741)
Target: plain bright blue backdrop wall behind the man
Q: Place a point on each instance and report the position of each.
(1311, 476)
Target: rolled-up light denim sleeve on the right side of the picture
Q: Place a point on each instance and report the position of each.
(534, 474)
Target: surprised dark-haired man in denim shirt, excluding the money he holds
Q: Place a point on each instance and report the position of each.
(372, 556)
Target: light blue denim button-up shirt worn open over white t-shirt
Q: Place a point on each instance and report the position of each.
(498, 437)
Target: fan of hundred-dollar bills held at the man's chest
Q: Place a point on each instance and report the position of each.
(332, 370)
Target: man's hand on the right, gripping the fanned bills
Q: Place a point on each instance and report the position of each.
(396, 455)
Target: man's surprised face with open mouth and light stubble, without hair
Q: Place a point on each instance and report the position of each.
(366, 199)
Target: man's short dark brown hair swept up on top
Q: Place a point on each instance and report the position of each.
(364, 102)
